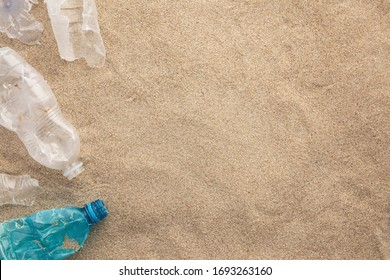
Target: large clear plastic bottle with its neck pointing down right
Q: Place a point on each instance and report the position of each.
(29, 108)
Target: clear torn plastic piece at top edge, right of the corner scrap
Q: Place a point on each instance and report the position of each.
(76, 29)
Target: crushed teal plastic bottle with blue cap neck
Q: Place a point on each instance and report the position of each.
(51, 234)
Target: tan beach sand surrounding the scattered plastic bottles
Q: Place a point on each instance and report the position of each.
(225, 130)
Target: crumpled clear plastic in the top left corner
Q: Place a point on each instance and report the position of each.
(17, 22)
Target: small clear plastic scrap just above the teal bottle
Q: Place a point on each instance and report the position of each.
(18, 190)
